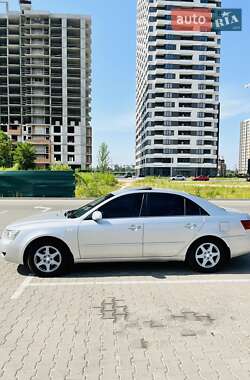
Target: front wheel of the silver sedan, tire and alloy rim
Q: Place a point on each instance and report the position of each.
(49, 258)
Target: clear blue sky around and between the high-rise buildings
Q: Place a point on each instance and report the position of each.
(113, 55)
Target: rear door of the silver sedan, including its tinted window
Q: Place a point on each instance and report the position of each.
(171, 222)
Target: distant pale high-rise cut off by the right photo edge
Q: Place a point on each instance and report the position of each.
(244, 154)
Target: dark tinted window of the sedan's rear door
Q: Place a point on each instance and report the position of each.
(158, 204)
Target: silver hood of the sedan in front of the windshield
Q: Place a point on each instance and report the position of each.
(39, 218)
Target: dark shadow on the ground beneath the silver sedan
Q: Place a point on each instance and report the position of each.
(158, 270)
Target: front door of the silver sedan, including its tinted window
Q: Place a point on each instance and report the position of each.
(118, 234)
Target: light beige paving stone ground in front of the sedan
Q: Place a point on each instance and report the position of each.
(124, 331)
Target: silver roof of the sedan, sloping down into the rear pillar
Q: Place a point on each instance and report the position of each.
(211, 208)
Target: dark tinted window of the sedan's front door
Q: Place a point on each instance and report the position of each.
(126, 206)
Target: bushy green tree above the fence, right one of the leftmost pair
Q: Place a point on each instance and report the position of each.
(24, 156)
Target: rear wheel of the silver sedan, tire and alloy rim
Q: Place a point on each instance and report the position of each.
(207, 255)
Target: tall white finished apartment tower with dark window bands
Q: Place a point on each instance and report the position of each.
(177, 116)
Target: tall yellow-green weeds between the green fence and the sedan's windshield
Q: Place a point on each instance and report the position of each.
(90, 185)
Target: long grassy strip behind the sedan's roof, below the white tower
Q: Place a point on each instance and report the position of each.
(209, 190)
